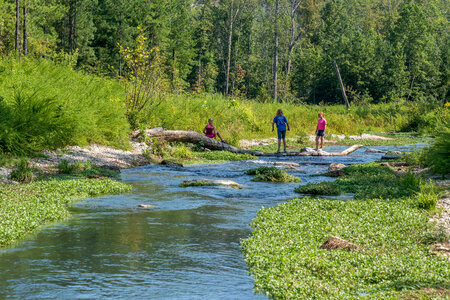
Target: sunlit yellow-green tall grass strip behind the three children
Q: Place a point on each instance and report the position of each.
(243, 119)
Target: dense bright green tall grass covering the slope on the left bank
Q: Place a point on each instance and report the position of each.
(44, 105)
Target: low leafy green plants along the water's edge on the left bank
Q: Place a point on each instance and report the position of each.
(25, 207)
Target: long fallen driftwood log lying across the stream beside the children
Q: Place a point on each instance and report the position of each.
(209, 143)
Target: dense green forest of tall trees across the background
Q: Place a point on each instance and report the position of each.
(267, 50)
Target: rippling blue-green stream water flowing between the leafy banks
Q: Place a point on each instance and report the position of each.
(186, 247)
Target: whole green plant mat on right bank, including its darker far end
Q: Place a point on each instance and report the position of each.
(390, 220)
